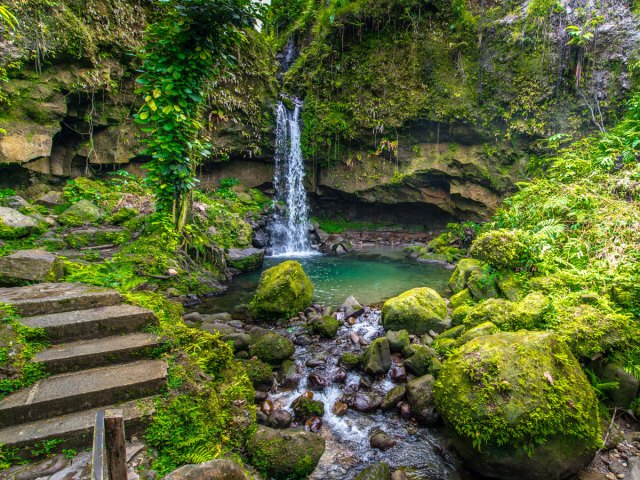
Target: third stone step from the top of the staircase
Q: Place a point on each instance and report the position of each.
(71, 357)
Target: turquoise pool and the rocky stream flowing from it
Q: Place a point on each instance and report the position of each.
(371, 276)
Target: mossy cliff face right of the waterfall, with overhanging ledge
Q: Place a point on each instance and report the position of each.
(442, 104)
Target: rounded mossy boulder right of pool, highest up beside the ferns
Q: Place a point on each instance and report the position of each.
(503, 249)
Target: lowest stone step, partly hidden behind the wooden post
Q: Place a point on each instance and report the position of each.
(75, 429)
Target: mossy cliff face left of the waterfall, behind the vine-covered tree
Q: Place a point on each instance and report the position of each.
(68, 96)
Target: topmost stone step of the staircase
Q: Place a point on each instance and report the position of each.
(48, 298)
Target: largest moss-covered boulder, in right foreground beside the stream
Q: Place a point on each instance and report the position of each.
(519, 406)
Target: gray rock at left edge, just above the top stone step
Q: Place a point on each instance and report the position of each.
(29, 266)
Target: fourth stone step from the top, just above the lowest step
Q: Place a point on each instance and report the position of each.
(77, 391)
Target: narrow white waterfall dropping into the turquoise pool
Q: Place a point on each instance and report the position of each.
(290, 225)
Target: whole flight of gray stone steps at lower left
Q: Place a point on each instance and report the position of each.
(99, 359)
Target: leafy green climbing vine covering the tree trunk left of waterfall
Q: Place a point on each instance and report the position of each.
(188, 47)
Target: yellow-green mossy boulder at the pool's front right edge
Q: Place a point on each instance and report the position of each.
(417, 311)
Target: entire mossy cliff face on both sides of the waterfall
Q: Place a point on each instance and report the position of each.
(428, 108)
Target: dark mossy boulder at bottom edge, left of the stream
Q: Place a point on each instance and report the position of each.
(285, 454)
